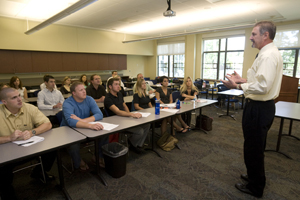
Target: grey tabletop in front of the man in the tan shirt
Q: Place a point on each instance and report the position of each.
(54, 138)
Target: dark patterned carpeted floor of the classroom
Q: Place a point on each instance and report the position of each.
(206, 167)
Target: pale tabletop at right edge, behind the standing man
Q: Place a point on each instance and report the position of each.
(287, 110)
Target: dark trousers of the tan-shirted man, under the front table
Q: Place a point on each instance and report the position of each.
(6, 174)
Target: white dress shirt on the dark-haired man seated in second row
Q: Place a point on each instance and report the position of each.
(47, 99)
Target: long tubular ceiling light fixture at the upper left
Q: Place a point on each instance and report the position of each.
(68, 11)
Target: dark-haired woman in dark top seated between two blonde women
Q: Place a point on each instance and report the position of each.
(165, 96)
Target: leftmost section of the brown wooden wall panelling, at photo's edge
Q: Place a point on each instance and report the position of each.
(7, 64)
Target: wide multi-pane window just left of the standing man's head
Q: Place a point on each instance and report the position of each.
(222, 56)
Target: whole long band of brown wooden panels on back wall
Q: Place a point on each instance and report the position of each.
(13, 61)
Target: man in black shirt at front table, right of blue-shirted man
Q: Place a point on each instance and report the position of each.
(115, 105)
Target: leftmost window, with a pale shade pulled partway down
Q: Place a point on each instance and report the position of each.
(171, 59)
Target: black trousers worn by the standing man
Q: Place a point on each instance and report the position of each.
(258, 117)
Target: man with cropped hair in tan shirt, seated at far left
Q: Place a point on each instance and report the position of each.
(21, 121)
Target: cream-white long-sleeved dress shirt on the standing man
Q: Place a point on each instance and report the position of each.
(265, 75)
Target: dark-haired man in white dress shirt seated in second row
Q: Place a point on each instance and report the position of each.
(49, 98)
